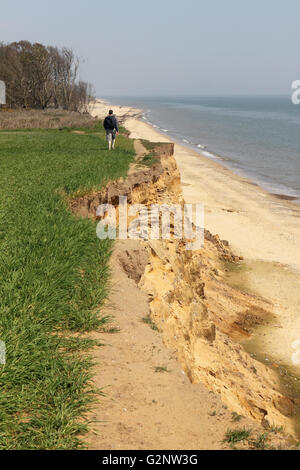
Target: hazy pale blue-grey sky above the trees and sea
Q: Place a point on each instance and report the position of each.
(168, 46)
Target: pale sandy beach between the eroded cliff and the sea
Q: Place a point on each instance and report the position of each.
(261, 228)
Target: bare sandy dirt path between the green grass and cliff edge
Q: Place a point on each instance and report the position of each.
(150, 403)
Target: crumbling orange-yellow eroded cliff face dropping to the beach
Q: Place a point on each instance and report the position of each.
(198, 314)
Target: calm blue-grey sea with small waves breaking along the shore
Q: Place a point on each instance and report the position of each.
(256, 136)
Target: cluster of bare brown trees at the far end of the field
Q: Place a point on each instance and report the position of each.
(40, 77)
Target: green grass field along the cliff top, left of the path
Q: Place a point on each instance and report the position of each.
(53, 278)
